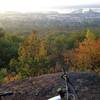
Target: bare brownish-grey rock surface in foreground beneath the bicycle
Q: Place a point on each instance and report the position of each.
(43, 87)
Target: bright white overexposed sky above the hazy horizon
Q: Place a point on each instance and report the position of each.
(41, 5)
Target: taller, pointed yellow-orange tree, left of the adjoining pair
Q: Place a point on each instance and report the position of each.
(28, 52)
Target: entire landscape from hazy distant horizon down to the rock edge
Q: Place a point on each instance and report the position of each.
(32, 44)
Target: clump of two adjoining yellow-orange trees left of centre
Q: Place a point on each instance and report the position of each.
(32, 55)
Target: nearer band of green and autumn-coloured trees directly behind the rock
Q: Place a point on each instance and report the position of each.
(22, 56)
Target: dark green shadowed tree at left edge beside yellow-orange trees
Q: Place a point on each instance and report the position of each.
(9, 45)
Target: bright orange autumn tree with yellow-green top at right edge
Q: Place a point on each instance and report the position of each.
(88, 53)
